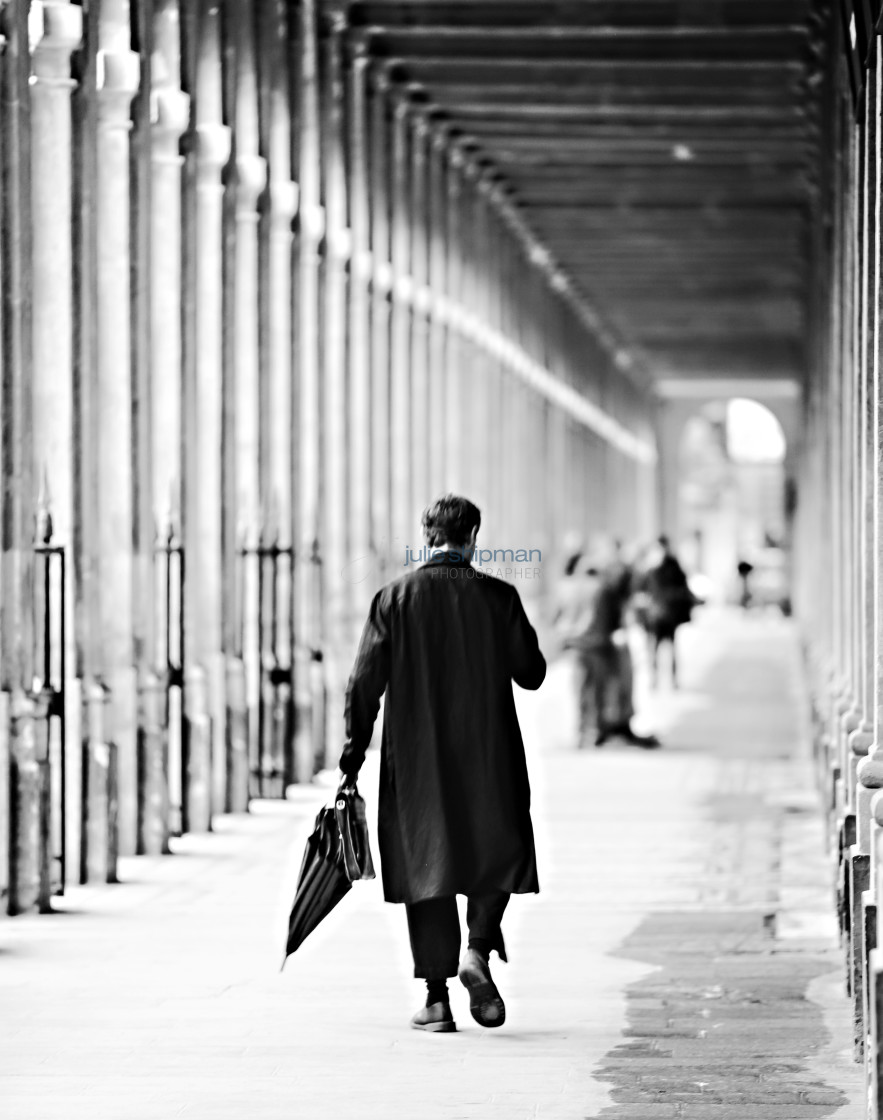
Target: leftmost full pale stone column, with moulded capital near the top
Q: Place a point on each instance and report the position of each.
(55, 32)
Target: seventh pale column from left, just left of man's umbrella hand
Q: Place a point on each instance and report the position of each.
(310, 742)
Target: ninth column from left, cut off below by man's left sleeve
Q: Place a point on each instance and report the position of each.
(361, 576)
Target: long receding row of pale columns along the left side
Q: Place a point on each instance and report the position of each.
(261, 306)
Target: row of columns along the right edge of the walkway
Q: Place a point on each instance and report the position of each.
(840, 517)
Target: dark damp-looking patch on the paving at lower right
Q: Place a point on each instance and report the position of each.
(722, 1030)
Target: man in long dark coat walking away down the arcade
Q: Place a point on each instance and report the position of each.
(445, 642)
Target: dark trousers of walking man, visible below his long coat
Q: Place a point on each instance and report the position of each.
(434, 927)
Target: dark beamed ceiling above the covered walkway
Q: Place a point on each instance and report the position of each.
(662, 150)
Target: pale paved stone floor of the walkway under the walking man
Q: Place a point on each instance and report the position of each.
(681, 960)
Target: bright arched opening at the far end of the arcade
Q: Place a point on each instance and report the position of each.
(732, 501)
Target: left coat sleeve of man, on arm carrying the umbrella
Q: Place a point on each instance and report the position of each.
(368, 683)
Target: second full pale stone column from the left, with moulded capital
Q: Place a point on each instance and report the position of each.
(118, 79)
